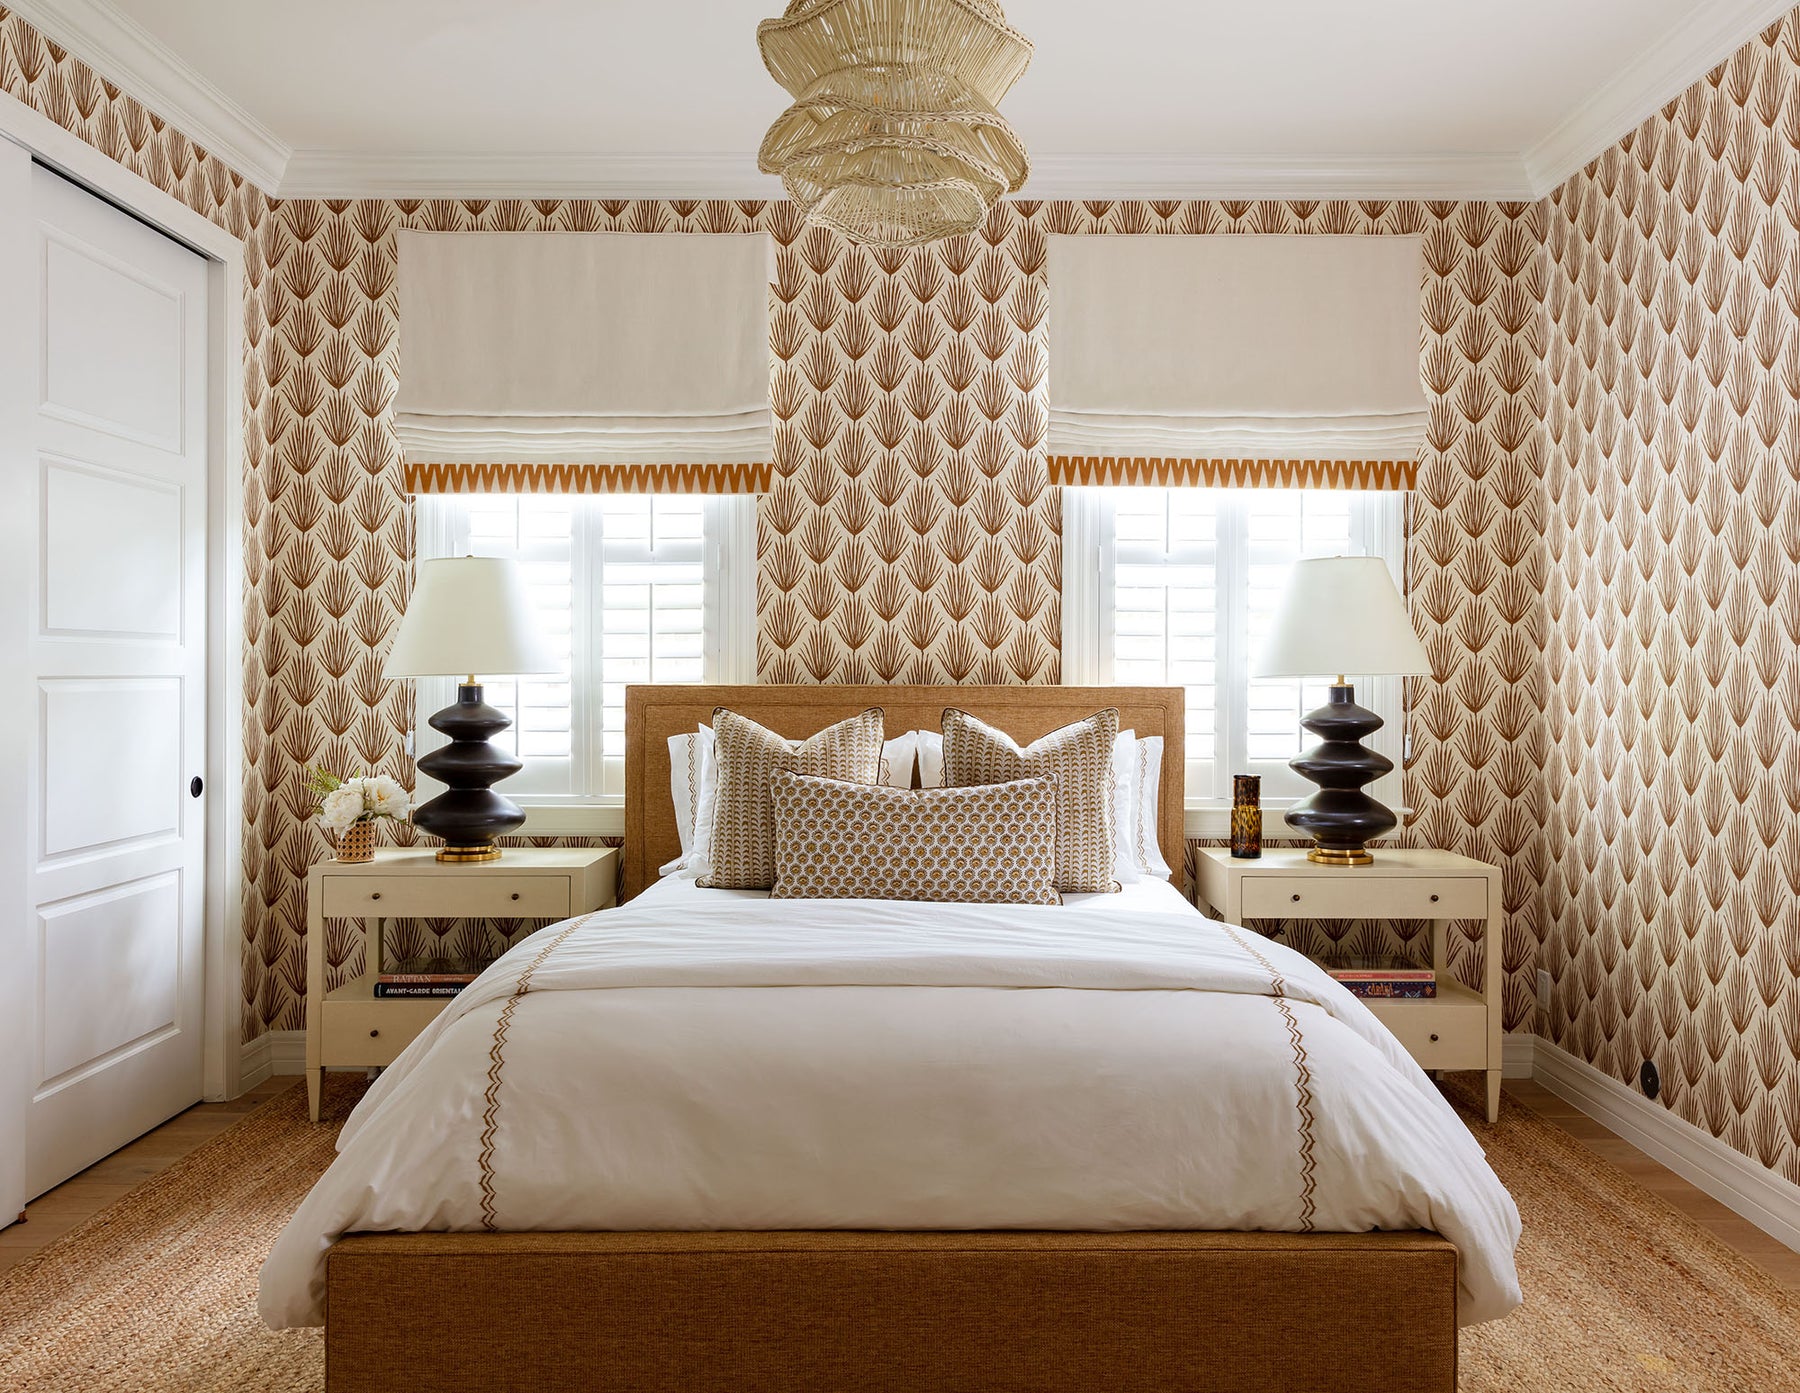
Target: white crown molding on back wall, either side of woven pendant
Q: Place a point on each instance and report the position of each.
(321, 174)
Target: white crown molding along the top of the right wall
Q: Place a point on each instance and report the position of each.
(1669, 67)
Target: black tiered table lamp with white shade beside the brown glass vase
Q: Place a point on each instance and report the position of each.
(1342, 615)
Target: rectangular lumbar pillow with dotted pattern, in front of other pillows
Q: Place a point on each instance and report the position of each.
(850, 841)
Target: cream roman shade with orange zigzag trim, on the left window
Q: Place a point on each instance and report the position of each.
(584, 363)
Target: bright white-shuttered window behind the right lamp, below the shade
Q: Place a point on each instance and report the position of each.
(1182, 586)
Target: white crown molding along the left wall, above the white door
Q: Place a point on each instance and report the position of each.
(125, 53)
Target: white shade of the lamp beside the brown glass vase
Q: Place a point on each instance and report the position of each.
(1342, 615)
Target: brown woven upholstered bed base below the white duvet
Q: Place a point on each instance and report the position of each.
(892, 1313)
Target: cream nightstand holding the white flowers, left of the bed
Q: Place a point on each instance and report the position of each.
(352, 1027)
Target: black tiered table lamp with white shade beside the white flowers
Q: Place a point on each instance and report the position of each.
(469, 615)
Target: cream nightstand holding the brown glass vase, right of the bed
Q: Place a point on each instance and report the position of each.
(1457, 1030)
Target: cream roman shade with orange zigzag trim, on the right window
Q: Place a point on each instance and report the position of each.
(1236, 361)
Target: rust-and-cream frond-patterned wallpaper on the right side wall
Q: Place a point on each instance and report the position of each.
(1673, 485)
